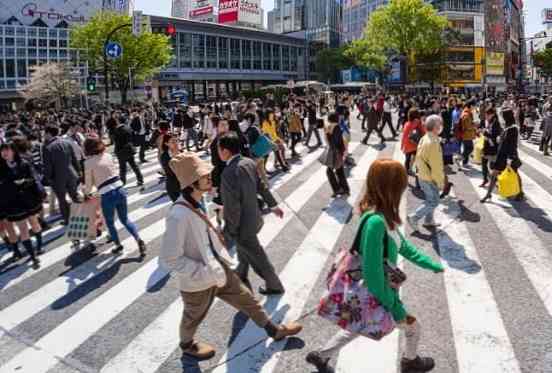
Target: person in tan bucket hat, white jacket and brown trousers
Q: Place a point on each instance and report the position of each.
(194, 249)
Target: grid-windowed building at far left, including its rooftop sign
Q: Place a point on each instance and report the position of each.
(36, 33)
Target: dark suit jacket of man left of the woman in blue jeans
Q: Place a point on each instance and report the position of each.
(60, 162)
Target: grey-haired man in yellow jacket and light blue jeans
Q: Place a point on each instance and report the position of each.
(431, 174)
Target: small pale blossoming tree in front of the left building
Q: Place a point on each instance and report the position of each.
(52, 83)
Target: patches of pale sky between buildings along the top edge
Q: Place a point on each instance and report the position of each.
(533, 9)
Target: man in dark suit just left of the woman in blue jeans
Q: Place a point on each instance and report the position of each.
(61, 169)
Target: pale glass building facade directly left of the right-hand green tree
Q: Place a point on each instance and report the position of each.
(355, 17)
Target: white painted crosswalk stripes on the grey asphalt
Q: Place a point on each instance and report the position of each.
(478, 326)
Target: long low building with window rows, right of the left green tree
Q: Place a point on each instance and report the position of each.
(212, 60)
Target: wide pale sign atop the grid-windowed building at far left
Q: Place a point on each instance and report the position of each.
(53, 12)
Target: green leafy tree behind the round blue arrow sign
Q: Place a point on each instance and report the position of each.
(142, 56)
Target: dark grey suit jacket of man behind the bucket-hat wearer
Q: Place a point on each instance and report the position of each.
(240, 184)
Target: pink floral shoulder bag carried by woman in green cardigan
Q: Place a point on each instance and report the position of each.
(348, 302)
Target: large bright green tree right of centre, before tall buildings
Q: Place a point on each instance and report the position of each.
(403, 27)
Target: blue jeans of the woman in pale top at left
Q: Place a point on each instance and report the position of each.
(117, 200)
